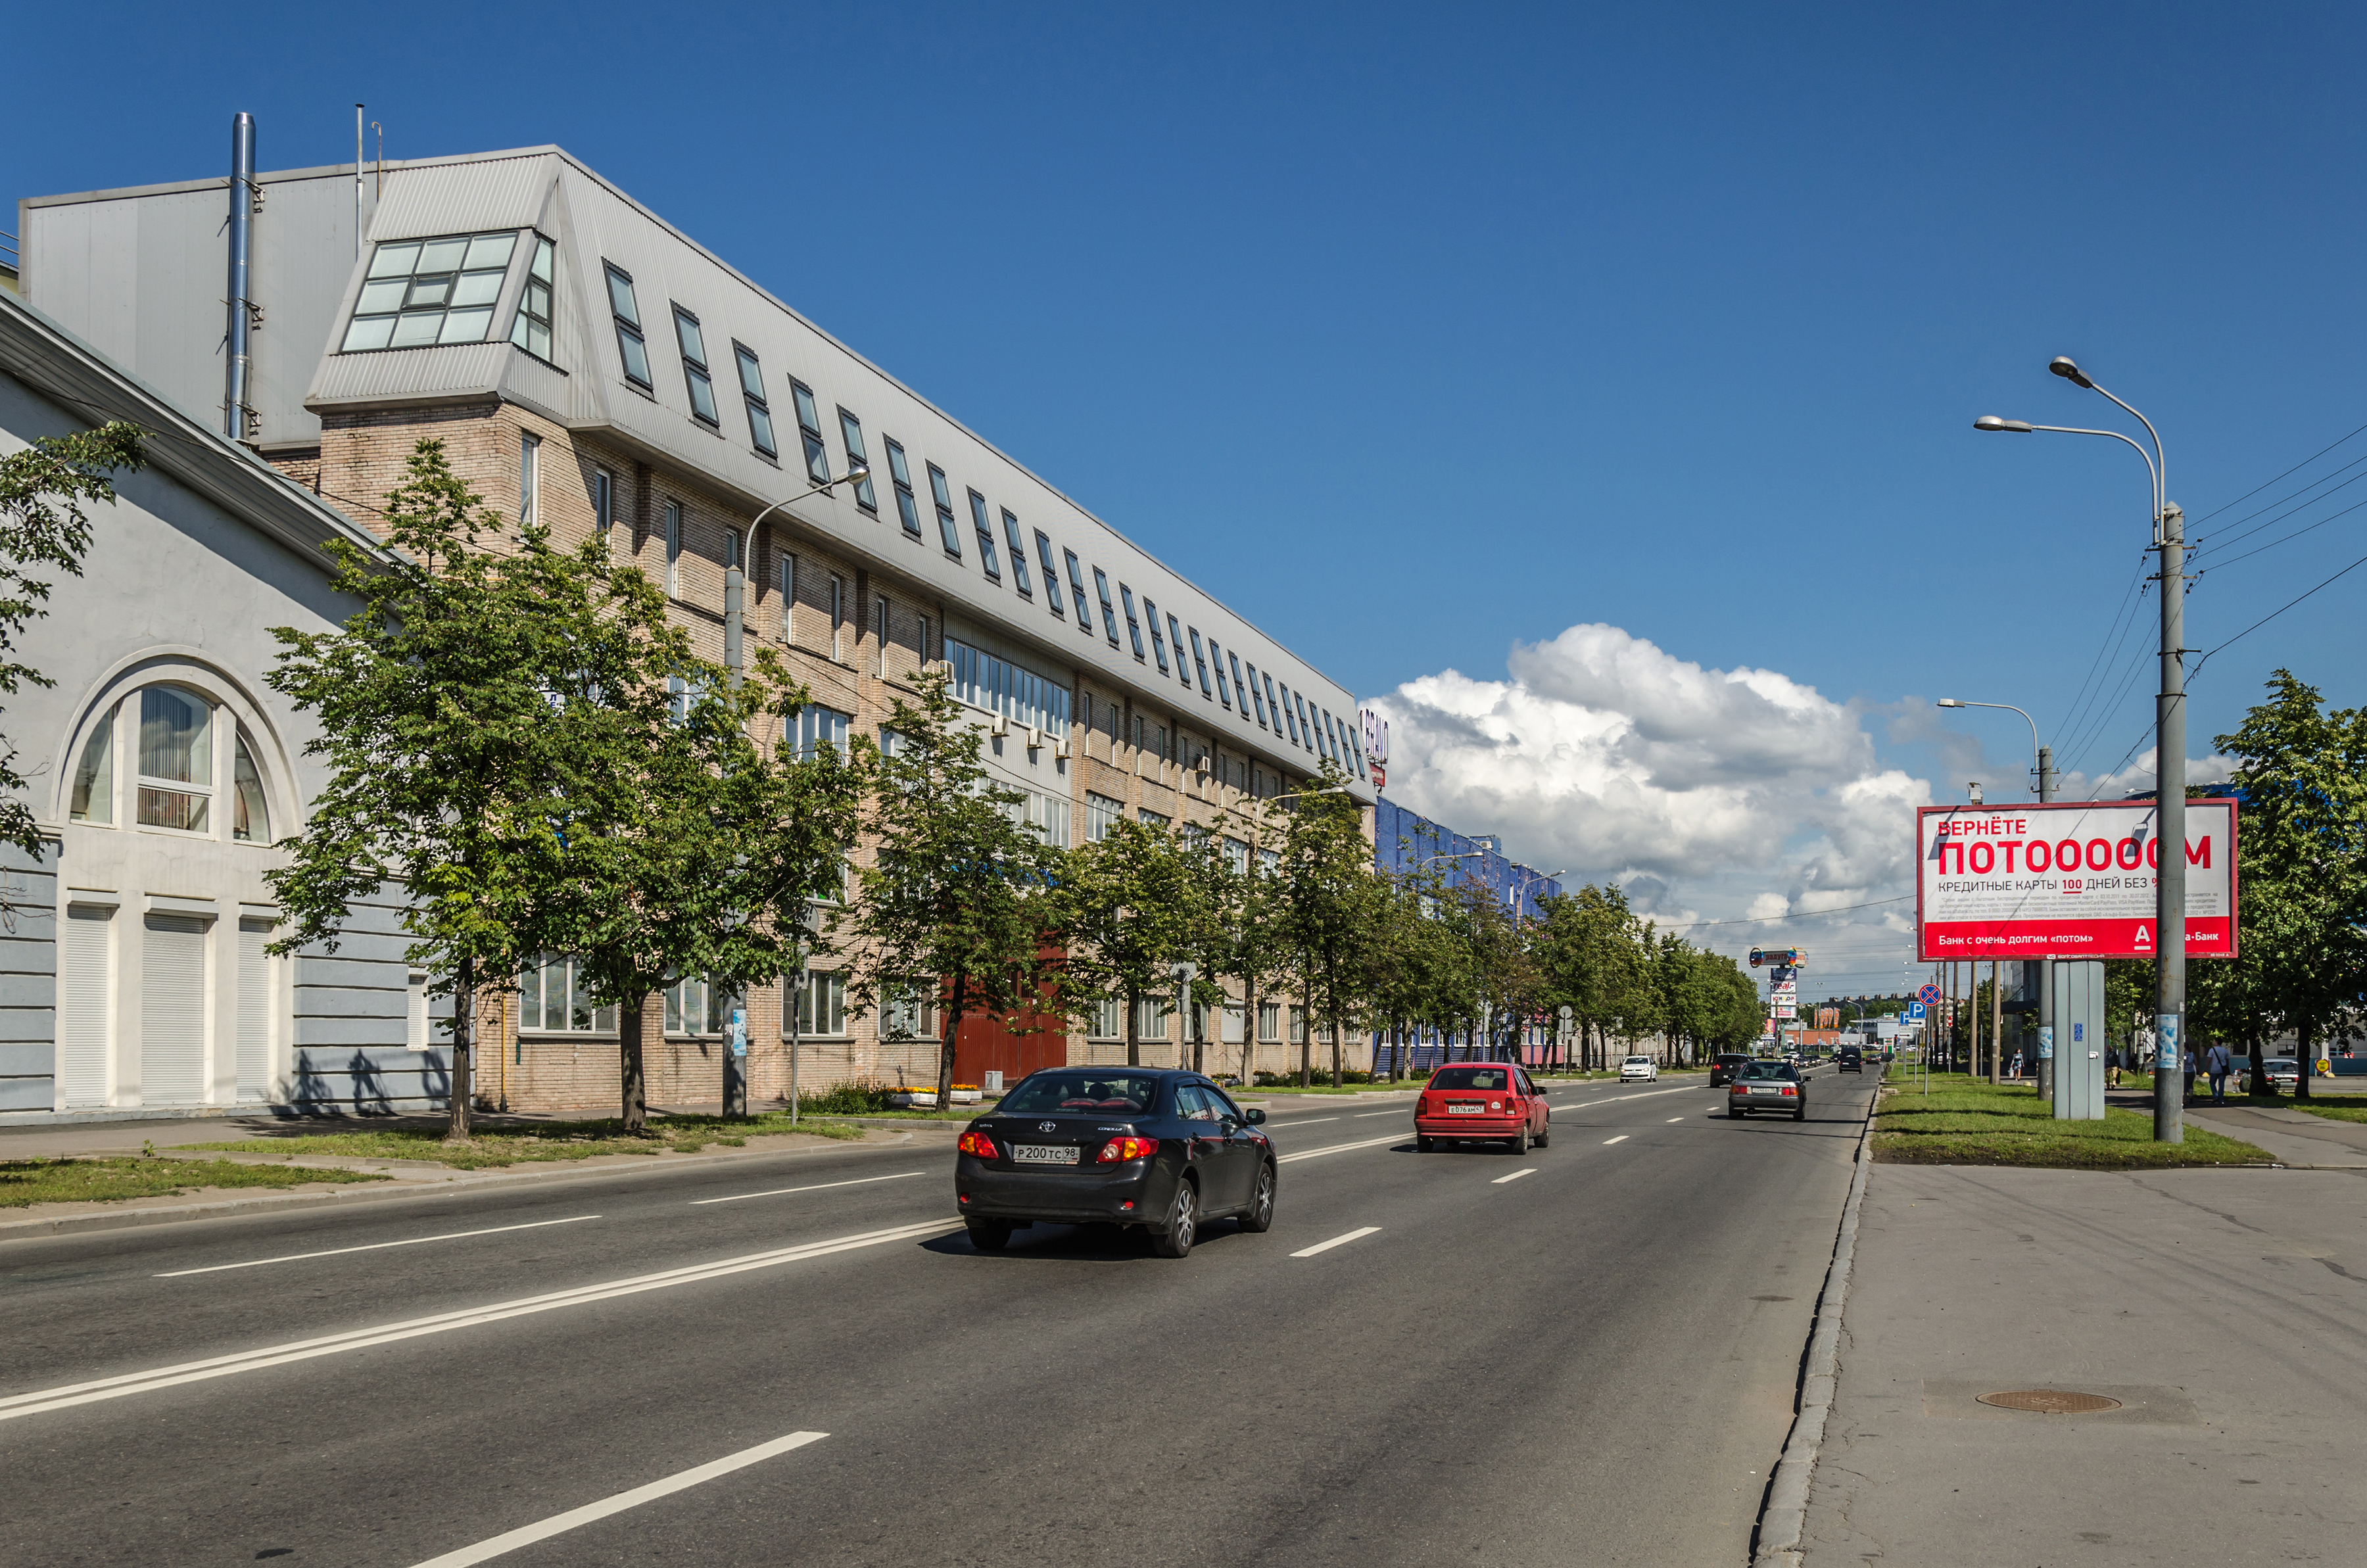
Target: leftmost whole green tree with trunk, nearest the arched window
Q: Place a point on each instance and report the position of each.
(456, 759)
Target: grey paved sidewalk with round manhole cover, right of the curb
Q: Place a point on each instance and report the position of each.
(2226, 1311)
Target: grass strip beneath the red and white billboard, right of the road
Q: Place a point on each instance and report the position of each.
(1968, 1122)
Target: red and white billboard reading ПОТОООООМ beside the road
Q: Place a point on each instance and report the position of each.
(2065, 882)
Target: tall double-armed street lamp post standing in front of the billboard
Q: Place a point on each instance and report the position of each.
(2169, 754)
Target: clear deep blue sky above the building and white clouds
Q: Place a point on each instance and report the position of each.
(1424, 333)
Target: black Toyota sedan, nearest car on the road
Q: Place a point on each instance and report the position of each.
(1144, 1148)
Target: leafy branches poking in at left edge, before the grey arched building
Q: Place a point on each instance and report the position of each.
(44, 527)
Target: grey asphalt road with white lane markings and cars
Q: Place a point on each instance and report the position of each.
(1592, 1363)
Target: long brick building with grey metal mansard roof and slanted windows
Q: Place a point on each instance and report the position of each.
(593, 366)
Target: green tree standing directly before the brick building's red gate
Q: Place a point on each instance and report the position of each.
(960, 889)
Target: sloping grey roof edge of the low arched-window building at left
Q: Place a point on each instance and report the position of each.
(207, 461)
